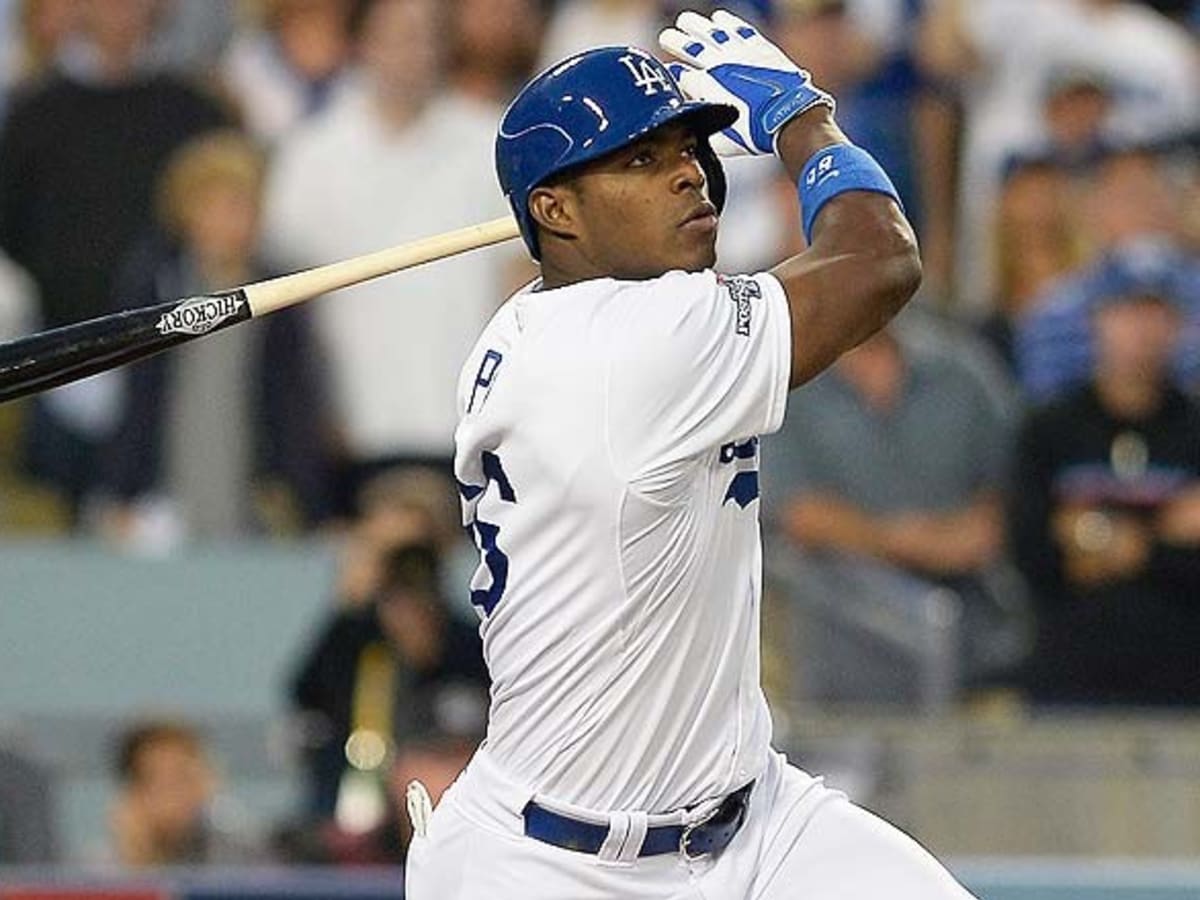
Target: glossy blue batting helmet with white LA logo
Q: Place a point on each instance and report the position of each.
(589, 106)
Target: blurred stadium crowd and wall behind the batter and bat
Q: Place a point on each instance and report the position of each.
(233, 609)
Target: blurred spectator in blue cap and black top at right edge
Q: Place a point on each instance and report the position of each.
(1107, 518)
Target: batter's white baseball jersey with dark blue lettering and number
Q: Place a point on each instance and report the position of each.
(608, 458)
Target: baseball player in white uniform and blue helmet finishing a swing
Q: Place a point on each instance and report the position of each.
(608, 455)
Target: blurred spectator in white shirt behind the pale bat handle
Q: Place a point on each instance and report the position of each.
(399, 158)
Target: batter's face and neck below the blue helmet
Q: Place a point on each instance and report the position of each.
(644, 209)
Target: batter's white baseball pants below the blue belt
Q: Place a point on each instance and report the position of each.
(801, 841)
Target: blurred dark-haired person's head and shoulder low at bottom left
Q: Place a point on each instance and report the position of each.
(164, 813)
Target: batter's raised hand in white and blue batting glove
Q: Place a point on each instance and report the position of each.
(729, 62)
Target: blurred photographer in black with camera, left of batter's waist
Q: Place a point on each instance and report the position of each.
(374, 677)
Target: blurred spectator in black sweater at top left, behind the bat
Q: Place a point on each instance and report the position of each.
(76, 191)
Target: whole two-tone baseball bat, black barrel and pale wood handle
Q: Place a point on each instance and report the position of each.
(49, 359)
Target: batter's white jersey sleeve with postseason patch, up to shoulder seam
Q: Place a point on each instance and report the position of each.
(697, 361)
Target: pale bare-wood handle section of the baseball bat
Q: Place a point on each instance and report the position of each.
(279, 293)
